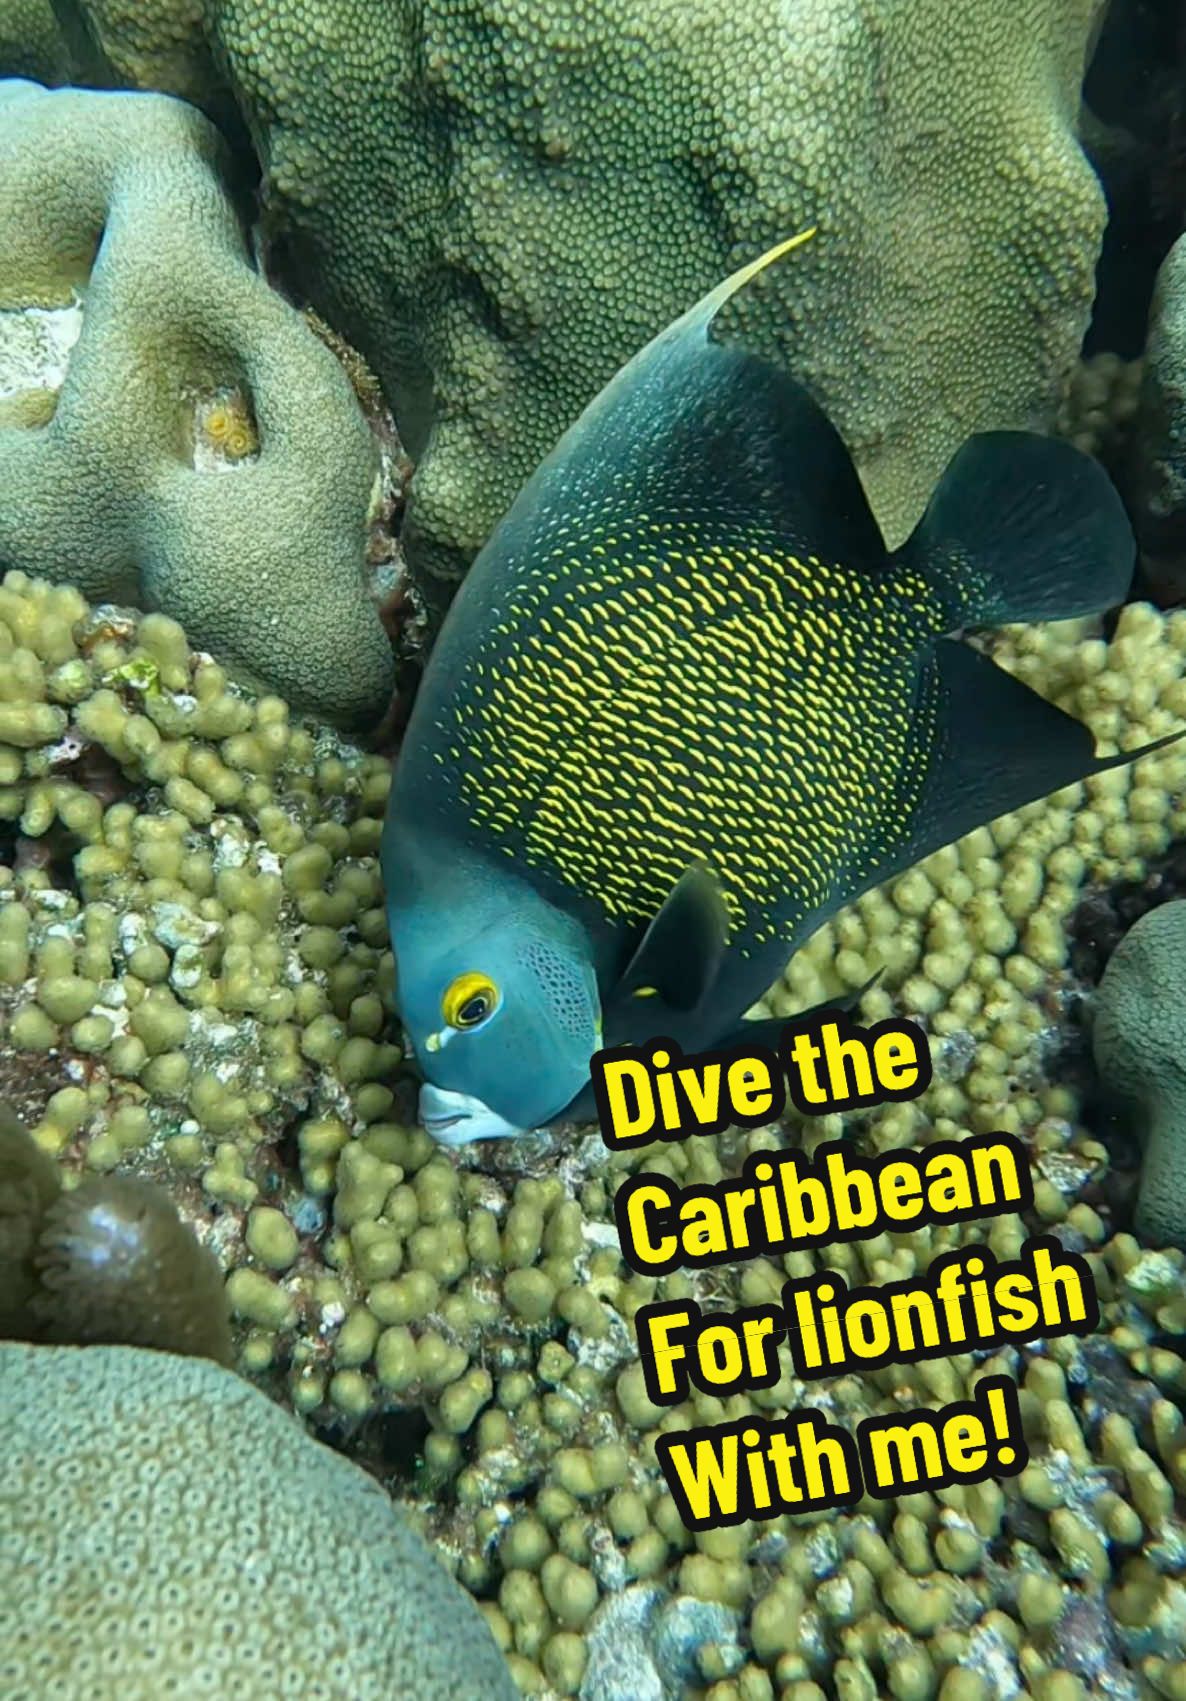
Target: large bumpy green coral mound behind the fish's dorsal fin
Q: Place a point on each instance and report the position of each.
(501, 203)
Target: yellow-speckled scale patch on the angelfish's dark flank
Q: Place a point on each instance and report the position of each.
(654, 700)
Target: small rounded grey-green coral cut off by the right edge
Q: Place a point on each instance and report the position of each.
(1141, 1050)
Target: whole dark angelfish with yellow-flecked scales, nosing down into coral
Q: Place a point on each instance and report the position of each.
(687, 707)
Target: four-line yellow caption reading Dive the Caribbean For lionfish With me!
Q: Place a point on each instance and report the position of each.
(784, 1202)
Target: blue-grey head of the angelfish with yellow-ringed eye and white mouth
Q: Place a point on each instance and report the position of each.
(503, 1016)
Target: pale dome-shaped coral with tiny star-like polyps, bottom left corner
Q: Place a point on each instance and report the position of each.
(259, 1564)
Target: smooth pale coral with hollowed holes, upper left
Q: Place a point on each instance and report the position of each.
(173, 435)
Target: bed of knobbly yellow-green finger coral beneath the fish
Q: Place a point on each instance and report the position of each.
(195, 987)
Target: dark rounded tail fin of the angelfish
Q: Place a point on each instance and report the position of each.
(1023, 528)
